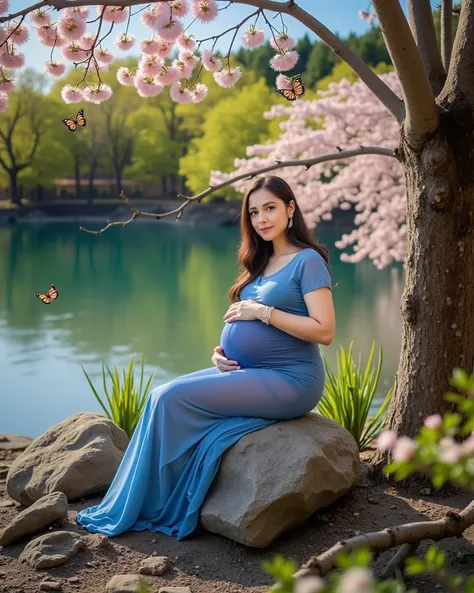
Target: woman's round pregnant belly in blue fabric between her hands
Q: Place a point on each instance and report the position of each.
(254, 344)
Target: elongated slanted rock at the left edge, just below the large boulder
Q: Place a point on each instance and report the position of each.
(46, 510)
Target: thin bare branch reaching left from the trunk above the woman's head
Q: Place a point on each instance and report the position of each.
(307, 163)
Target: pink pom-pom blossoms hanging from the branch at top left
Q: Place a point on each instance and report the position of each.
(67, 35)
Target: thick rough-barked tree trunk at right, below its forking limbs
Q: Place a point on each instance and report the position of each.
(438, 301)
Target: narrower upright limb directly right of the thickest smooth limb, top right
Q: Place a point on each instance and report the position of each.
(421, 23)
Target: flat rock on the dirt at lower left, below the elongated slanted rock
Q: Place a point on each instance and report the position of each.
(51, 549)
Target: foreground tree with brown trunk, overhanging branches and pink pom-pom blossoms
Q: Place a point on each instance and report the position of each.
(433, 109)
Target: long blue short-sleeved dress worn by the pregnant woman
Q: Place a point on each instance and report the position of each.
(188, 423)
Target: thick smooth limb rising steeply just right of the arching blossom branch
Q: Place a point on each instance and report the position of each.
(421, 115)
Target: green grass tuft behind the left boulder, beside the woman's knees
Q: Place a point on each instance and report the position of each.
(124, 404)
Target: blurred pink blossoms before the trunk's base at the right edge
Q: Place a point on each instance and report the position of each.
(449, 451)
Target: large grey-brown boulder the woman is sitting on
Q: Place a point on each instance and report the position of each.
(275, 478)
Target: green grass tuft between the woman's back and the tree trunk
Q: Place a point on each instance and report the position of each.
(349, 394)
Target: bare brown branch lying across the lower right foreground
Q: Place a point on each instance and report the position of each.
(453, 524)
